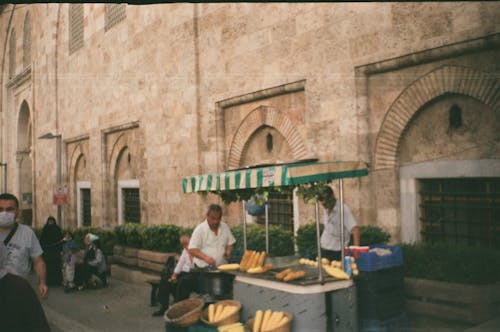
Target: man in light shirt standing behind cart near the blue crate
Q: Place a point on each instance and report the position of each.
(330, 239)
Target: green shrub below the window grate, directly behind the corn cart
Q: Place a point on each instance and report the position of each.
(280, 240)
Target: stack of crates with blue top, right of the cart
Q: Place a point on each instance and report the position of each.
(380, 291)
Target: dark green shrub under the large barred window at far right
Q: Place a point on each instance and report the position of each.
(459, 264)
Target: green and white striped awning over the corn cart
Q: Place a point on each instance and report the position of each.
(291, 174)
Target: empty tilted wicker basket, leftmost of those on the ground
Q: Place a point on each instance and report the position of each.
(184, 313)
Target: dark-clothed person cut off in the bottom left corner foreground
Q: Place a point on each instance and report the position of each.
(20, 309)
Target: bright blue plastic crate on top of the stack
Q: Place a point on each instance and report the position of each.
(370, 261)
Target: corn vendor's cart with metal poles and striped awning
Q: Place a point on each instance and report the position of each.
(317, 302)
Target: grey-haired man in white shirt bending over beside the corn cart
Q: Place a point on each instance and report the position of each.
(212, 241)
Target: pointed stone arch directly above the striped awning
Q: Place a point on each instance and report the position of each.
(265, 116)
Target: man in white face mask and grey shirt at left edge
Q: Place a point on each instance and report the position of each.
(21, 242)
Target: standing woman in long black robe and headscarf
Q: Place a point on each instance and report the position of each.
(51, 241)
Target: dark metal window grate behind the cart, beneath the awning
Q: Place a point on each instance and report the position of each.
(280, 211)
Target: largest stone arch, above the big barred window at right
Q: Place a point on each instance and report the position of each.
(446, 79)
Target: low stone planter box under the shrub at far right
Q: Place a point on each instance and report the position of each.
(467, 303)
